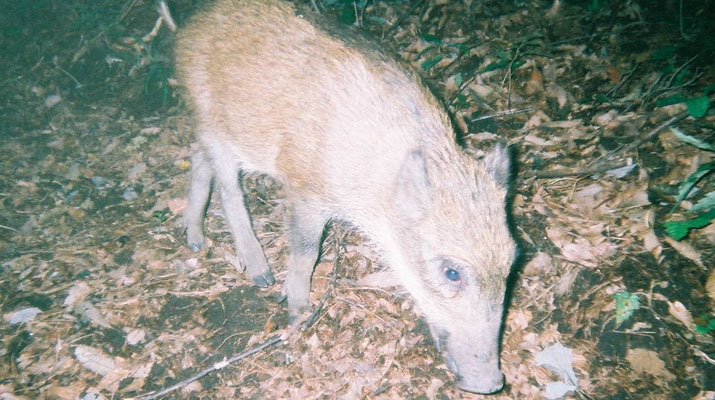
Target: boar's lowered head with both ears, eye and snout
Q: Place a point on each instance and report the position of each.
(454, 253)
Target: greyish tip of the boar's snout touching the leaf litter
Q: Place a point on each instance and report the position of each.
(481, 377)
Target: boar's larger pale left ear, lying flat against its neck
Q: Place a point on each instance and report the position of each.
(412, 197)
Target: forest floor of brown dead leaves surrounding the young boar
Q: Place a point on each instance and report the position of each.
(102, 299)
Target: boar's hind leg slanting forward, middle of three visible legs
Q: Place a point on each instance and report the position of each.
(248, 249)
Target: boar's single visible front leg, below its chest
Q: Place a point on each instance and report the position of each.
(305, 229)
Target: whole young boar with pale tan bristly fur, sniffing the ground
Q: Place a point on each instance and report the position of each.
(353, 136)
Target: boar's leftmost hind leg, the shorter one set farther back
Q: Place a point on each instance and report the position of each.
(201, 175)
